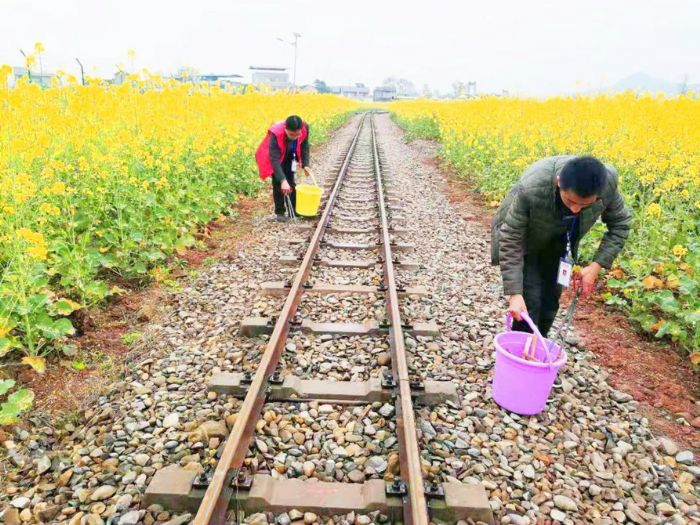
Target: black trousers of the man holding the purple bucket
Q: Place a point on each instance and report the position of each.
(541, 291)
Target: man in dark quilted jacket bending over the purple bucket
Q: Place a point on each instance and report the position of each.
(554, 204)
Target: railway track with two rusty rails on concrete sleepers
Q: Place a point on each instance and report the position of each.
(360, 229)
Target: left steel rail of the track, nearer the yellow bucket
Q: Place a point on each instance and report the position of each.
(214, 505)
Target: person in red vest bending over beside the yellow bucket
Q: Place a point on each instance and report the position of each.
(285, 145)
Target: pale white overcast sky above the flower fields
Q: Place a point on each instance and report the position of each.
(535, 47)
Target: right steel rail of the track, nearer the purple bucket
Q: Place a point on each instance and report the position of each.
(415, 506)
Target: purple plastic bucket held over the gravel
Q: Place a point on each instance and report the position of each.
(519, 385)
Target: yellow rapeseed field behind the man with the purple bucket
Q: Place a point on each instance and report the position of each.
(653, 141)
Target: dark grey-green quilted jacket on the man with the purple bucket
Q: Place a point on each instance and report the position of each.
(528, 222)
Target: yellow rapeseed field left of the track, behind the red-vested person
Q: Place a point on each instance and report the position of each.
(101, 181)
